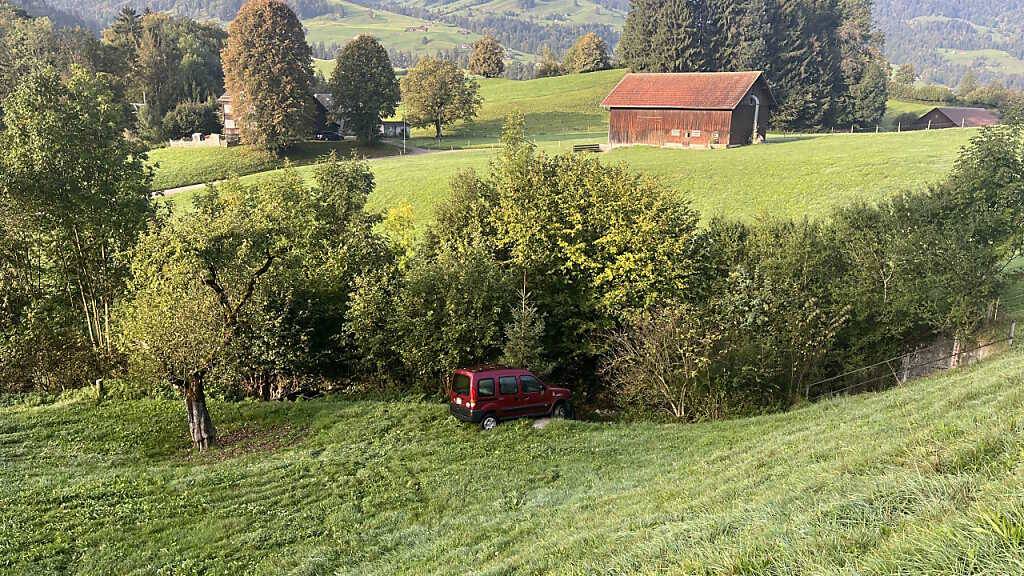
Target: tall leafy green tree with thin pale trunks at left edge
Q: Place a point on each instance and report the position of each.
(76, 199)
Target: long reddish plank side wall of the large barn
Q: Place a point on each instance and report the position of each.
(670, 128)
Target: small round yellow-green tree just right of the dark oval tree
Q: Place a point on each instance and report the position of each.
(438, 94)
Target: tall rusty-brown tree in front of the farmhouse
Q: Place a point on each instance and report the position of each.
(269, 73)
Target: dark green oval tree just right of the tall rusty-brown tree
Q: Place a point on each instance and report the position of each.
(364, 88)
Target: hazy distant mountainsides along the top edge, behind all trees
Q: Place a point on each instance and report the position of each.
(943, 38)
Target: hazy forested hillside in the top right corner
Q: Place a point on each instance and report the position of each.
(946, 38)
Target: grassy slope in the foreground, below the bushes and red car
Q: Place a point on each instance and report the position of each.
(922, 480)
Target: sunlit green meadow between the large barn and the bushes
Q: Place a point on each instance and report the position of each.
(792, 177)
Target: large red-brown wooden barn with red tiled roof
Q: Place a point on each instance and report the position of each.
(692, 110)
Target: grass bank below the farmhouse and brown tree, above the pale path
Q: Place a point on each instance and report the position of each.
(177, 168)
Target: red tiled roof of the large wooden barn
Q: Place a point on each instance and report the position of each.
(697, 91)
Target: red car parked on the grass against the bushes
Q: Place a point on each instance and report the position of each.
(490, 395)
